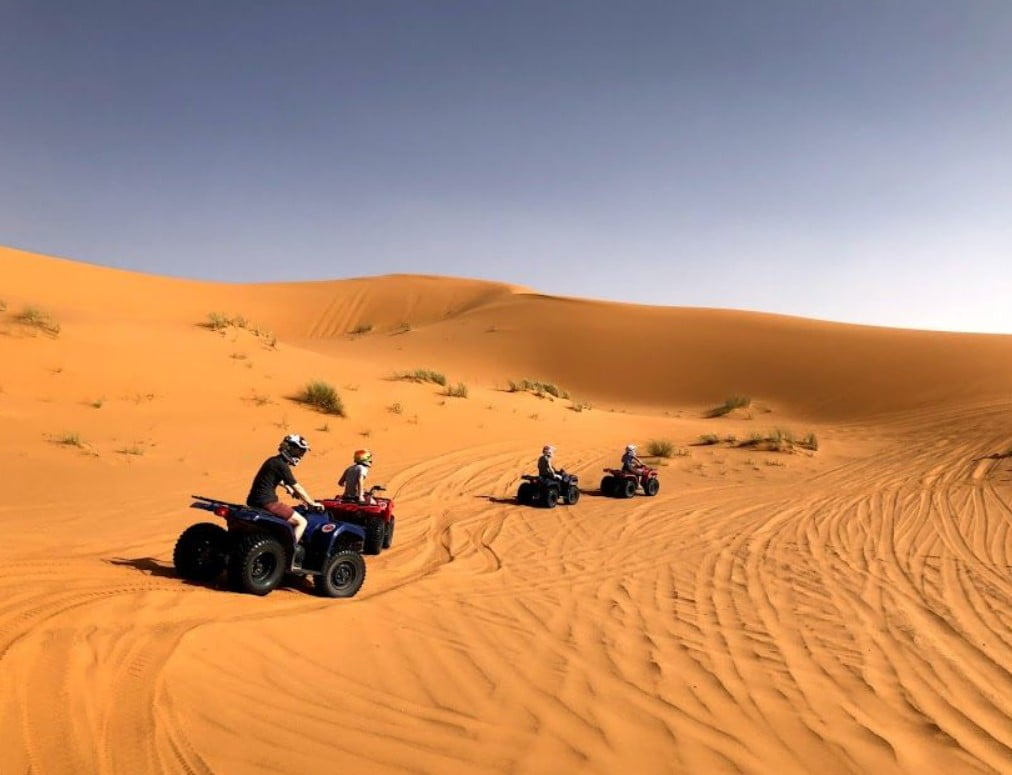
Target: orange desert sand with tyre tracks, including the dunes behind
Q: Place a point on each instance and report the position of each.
(832, 612)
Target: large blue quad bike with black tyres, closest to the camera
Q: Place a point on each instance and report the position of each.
(258, 550)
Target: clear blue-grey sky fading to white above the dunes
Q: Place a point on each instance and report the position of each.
(839, 159)
